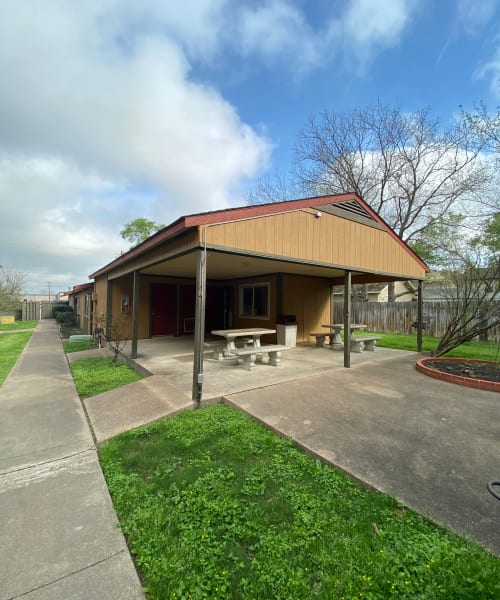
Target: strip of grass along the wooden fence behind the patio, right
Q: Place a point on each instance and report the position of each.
(403, 341)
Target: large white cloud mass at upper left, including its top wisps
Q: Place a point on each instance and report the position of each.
(103, 119)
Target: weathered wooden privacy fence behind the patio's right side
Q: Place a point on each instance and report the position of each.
(398, 317)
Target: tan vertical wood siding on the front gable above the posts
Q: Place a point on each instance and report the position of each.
(328, 239)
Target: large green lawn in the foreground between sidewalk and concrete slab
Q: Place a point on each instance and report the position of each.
(216, 506)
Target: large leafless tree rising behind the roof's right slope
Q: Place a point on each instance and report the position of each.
(404, 166)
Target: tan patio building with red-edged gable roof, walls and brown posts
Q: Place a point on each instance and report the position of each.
(247, 268)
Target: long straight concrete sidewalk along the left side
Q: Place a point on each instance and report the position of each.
(60, 536)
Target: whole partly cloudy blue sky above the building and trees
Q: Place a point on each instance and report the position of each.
(116, 109)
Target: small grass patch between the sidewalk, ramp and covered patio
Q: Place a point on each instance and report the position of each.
(93, 376)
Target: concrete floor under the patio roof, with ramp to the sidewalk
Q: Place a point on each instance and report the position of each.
(167, 363)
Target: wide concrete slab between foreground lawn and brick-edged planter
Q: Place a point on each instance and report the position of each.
(432, 444)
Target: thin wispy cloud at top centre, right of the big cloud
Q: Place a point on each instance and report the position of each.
(277, 30)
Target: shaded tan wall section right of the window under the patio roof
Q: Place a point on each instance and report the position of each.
(309, 300)
